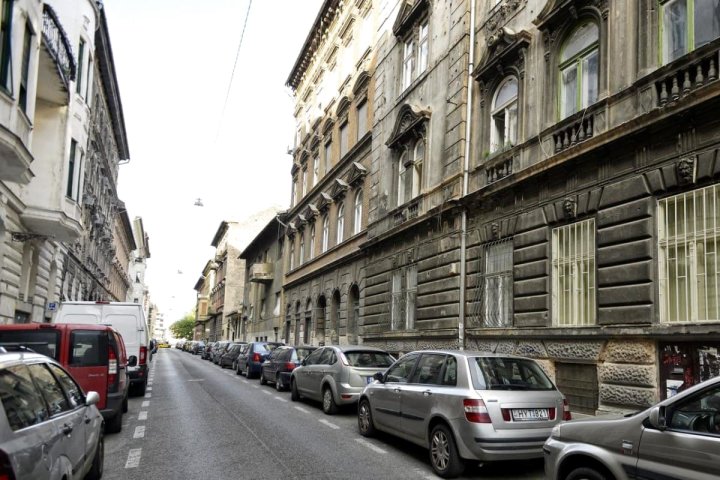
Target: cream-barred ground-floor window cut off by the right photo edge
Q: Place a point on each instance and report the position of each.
(689, 270)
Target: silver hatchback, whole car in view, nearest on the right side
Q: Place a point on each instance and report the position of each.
(464, 405)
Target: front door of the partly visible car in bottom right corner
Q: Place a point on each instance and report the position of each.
(690, 446)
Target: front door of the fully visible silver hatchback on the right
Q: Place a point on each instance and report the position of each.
(385, 397)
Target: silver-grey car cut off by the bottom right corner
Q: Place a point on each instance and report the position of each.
(677, 438)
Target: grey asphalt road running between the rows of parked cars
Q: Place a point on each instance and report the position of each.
(199, 421)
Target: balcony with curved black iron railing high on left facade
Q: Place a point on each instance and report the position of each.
(57, 64)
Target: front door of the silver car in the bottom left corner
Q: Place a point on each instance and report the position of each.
(69, 420)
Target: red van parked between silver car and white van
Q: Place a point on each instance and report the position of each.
(93, 354)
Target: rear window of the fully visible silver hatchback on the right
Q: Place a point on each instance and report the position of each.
(508, 373)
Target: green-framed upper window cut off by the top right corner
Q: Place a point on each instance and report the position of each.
(686, 25)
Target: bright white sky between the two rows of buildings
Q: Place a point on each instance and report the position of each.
(174, 61)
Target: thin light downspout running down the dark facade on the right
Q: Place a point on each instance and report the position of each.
(466, 174)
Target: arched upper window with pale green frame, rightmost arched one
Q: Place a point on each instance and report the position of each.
(579, 69)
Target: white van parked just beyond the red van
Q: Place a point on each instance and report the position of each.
(128, 319)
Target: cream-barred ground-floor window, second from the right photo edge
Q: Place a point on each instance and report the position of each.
(573, 274)
